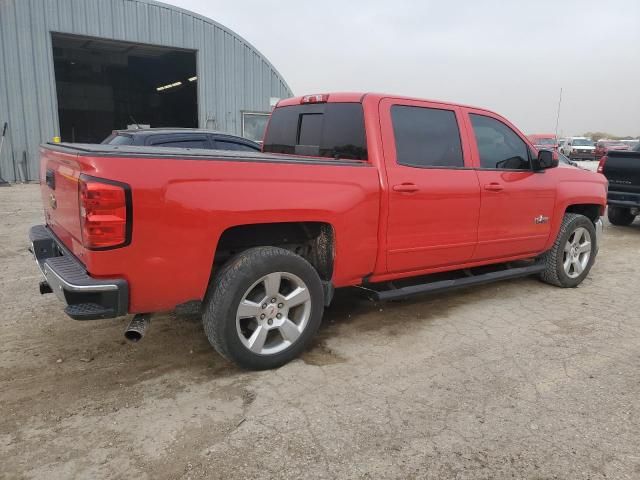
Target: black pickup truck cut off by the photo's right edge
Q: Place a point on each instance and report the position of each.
(622, 169)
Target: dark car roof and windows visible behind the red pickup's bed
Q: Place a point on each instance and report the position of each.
(181, 138)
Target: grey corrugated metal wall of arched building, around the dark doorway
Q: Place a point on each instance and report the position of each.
(232, 75)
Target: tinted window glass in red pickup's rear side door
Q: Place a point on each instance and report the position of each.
(426, 137)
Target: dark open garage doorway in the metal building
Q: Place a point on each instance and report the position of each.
(104, 85)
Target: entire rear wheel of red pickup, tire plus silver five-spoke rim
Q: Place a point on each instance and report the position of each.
(263, 308)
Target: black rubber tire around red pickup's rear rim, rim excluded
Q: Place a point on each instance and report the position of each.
(227, 289)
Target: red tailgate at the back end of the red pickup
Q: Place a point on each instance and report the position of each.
(59, 173)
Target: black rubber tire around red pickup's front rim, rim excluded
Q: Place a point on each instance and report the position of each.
(554, 273)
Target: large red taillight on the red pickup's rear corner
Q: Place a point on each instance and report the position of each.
(103, 213)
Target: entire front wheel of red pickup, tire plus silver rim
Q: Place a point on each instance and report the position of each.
(573, 253)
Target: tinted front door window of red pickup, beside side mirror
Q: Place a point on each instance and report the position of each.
(499, 146)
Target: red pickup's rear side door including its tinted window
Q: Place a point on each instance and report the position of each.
(434, 196)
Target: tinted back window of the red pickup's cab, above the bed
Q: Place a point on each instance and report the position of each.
(333, 130)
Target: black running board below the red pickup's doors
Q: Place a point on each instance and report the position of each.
(446, 285)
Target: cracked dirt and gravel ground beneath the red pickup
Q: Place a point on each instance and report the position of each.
(509, 380)
